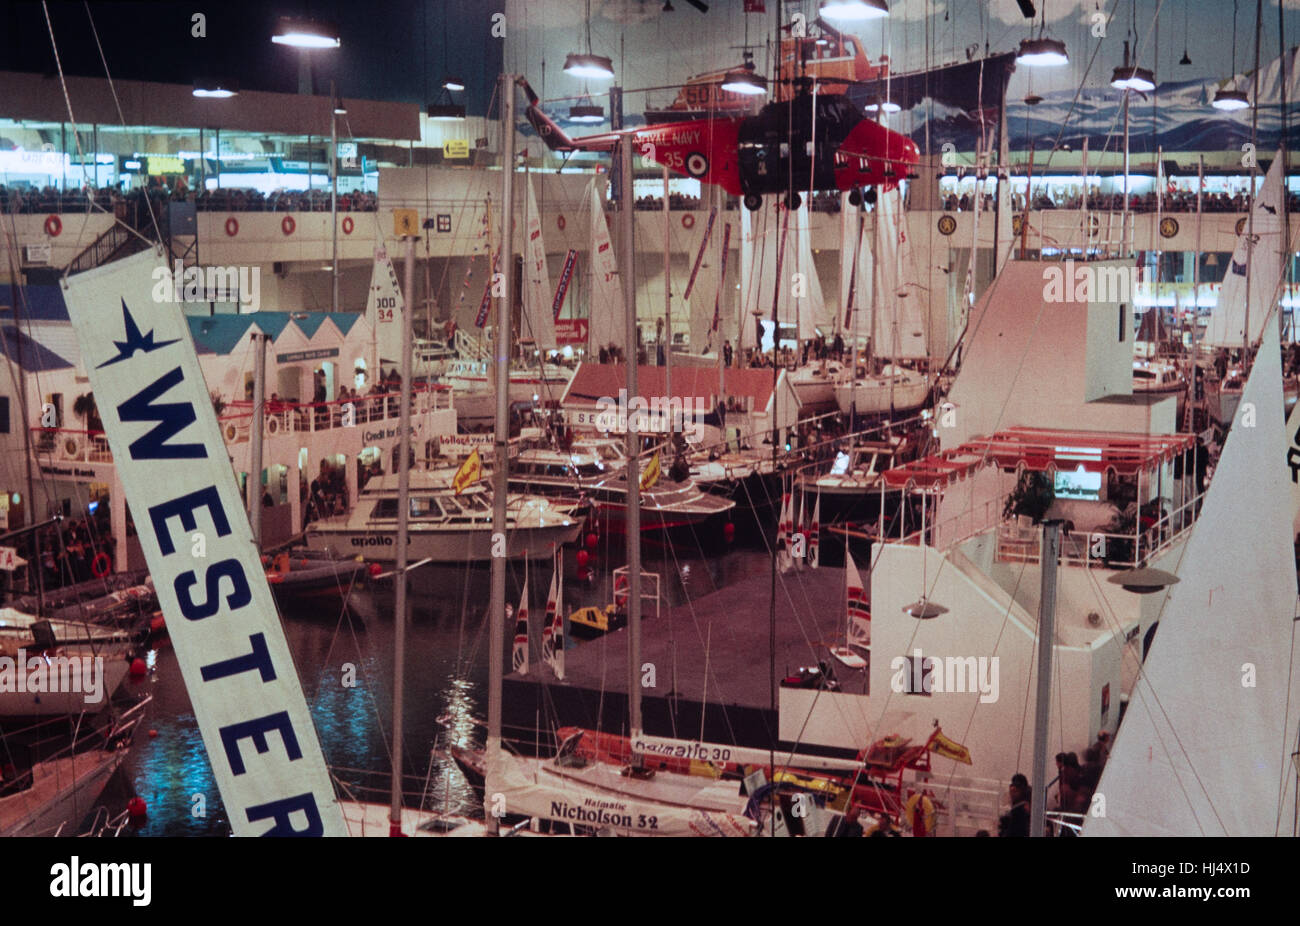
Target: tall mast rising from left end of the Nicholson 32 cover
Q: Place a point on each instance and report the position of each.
(501, 369)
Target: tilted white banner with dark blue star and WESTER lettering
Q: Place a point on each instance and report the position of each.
(198, 544)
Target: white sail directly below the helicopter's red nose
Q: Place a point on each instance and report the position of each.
(900, 326)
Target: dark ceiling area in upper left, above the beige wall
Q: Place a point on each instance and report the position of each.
(392, 50)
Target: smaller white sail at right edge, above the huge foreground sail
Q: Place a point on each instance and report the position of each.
(1228, 321)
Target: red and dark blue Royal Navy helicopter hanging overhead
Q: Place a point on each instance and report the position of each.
(813, 141)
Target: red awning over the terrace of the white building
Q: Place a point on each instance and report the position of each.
(1042, 451)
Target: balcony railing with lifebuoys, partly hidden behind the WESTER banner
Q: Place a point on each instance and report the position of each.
(70, 445)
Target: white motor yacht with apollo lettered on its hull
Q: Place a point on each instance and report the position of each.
(444, 527)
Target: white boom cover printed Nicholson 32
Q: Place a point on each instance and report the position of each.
(601, 798)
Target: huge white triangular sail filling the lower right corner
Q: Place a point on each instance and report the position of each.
(1206, 747)
